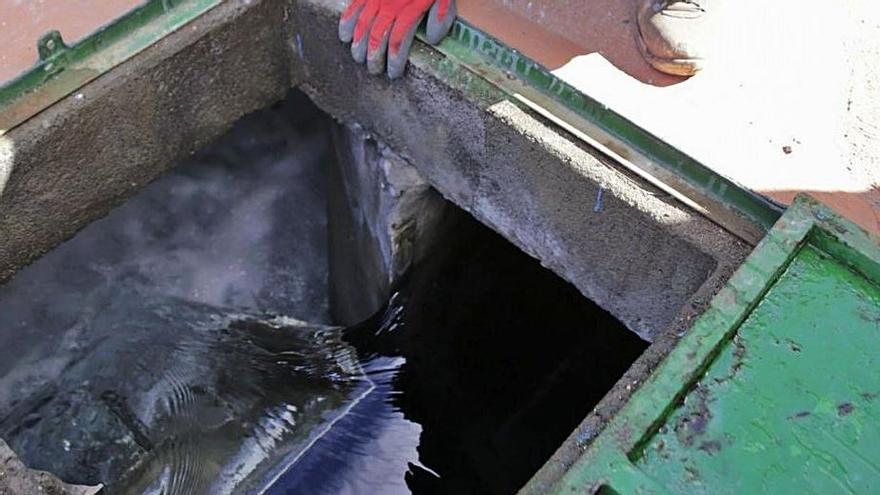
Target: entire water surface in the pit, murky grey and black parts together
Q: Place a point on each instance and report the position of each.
(184, 344)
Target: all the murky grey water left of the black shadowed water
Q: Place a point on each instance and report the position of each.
(143, 353)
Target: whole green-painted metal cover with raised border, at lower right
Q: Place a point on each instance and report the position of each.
(776, 389)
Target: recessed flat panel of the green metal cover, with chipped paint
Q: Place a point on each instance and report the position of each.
(788, 402)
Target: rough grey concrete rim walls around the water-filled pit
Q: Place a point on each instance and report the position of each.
(640, 254)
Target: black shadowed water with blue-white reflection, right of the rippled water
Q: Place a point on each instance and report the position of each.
(483, 363)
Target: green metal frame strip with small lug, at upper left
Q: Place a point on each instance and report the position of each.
(61, 69)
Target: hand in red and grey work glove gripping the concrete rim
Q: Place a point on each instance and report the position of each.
(381, 31)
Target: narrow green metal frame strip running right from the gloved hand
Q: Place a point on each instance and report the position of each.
(736, 208)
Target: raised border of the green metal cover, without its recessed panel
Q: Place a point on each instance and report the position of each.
(610, 459)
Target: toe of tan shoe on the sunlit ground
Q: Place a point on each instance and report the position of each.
(675, 35)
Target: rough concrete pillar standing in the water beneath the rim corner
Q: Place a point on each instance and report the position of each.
(383, 217)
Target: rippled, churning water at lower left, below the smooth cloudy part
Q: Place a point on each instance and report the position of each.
(171, 396)
